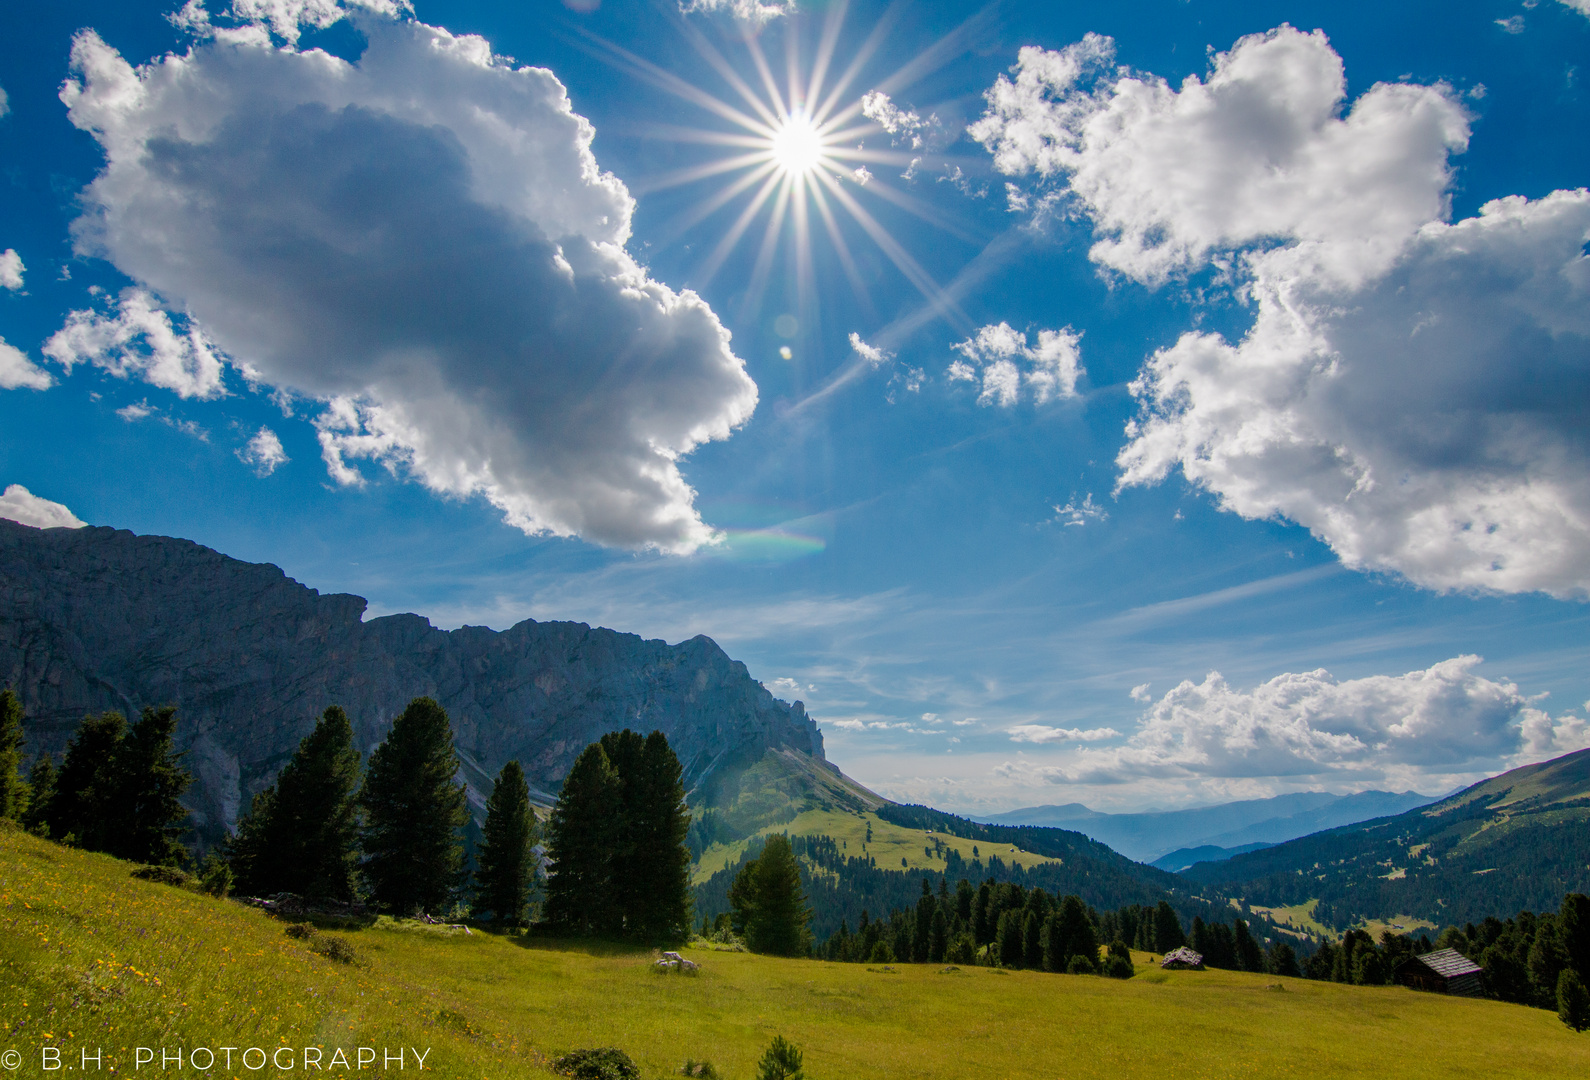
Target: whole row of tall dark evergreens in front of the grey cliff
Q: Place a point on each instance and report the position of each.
(386, 834)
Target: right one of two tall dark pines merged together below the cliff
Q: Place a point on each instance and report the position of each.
(659, 858)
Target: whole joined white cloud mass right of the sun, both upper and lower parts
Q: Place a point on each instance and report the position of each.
(1410, 389)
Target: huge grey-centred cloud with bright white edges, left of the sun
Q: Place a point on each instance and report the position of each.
(425, 243)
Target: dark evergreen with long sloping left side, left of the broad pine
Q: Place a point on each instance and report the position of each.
(303, 833)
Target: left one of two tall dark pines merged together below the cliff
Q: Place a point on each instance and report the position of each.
(581, 841)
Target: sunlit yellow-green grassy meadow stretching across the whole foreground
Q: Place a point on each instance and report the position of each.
(95, 958)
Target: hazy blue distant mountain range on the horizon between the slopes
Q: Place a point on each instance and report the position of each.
(1239, 825)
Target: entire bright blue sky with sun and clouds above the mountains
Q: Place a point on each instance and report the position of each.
(1158, 341)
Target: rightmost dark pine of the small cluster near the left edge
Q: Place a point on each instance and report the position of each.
(142, 810)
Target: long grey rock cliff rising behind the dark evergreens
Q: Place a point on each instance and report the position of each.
(103, 620)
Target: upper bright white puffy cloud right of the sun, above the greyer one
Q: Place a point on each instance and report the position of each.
(1260, 150)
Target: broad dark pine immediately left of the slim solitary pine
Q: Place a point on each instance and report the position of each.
(414, 809)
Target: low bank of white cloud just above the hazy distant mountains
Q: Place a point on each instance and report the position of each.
(1446, 720)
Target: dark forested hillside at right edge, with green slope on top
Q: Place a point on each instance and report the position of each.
(1514, 842)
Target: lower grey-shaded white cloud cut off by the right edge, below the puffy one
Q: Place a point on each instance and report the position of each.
(1425, 424)
